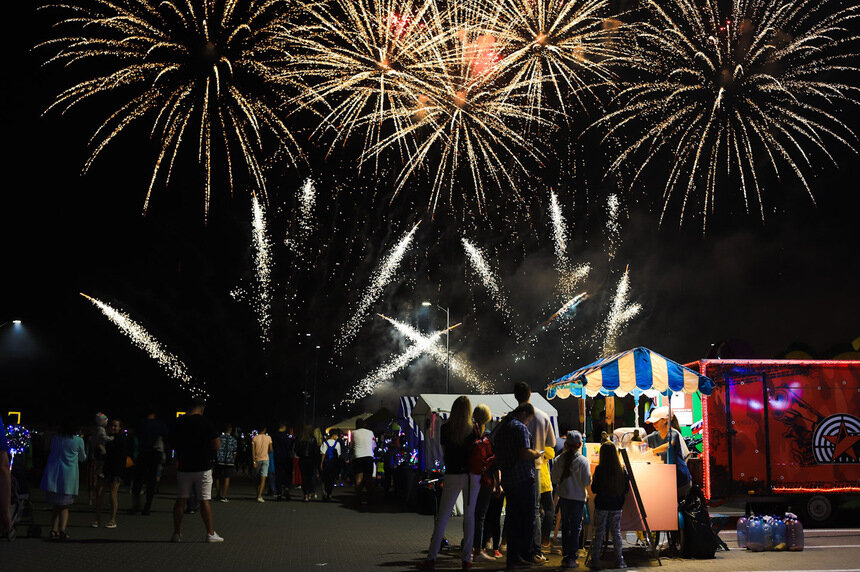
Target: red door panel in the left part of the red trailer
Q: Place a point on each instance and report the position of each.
(747, 422)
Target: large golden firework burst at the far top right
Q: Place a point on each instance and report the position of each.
(735, 96)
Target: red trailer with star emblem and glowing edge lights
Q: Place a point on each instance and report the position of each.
(783, 431)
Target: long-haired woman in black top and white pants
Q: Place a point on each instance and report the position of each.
(457, 436)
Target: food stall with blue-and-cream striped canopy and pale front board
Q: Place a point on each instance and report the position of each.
(636, 372)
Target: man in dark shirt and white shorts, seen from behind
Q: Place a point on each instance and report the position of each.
(195, 440)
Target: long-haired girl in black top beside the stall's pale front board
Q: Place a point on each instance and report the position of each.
(609, 484)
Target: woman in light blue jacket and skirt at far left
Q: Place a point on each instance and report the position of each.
(61, 477)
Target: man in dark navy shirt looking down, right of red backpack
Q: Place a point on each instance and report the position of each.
(516, 459)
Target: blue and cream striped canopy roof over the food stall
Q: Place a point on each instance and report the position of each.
(639, 370)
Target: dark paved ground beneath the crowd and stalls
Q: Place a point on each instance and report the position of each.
(326, 537)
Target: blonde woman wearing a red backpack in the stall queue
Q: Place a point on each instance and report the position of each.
(482, 462)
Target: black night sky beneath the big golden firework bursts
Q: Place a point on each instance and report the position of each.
(766, 287)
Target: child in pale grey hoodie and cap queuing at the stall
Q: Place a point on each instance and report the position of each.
(571, 474)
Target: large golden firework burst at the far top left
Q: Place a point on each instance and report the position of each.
(211, 71)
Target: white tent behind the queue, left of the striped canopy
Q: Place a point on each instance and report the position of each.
(432, 409)
